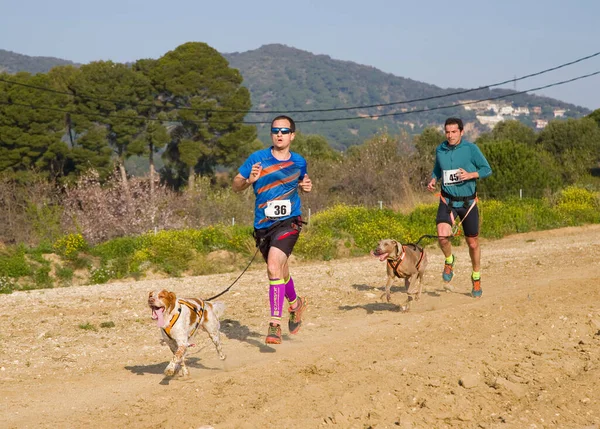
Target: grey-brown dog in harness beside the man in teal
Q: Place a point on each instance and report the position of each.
(407, 262)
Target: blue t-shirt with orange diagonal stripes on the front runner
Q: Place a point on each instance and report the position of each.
(278, 181)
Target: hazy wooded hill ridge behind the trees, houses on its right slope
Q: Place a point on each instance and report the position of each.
(283, 79)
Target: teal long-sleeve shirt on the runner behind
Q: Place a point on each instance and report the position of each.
(465, 155)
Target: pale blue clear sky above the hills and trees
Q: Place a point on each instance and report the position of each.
(450, 44)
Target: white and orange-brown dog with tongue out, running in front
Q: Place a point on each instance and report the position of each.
(179, 319)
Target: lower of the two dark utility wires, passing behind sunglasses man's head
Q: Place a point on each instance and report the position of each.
(142, 118)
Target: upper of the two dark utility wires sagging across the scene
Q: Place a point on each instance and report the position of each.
(335, 109)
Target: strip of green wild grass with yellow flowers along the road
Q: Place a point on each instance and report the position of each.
(339, 231)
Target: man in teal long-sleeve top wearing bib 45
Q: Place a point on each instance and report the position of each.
(459, 163)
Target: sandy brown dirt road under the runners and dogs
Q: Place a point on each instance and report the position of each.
(526, 355)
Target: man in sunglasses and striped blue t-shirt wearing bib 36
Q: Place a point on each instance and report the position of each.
(276, 174)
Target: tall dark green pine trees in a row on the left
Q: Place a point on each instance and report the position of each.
(188, 104)
